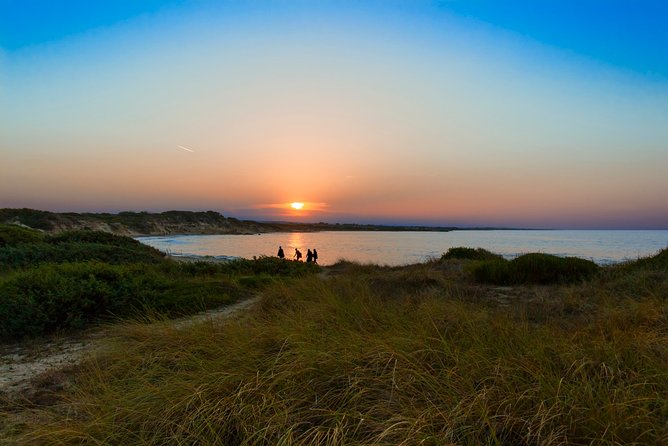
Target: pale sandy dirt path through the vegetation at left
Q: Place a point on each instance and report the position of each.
(20, 363)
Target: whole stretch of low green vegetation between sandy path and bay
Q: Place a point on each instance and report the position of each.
(74, 279)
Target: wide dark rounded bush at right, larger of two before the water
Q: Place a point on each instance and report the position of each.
(535, 268)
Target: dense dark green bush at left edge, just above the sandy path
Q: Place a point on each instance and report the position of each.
(71, 295)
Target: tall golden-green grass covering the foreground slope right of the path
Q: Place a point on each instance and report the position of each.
(370, 355)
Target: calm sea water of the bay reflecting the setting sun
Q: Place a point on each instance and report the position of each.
(399, 248)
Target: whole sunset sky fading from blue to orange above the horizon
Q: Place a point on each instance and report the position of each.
(545, 114)
